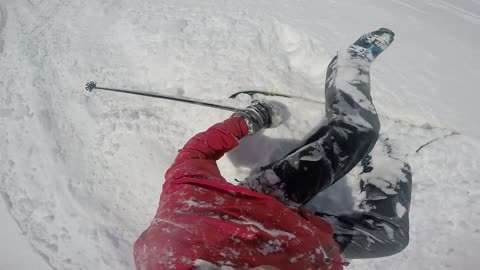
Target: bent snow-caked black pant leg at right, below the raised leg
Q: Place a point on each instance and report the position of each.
(381, 226)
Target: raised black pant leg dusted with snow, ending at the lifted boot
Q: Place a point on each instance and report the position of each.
(348, 135)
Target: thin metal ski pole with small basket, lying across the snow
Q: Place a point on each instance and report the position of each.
(92, 85)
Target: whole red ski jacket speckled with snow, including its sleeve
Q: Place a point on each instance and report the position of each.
(202, 217)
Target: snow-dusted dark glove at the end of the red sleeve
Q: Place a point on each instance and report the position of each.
(260, 114)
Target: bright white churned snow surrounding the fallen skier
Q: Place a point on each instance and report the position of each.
(81, 173)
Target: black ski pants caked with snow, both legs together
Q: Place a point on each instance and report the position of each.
(379, 227)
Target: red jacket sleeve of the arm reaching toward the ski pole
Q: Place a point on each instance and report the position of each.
(197, 159)
